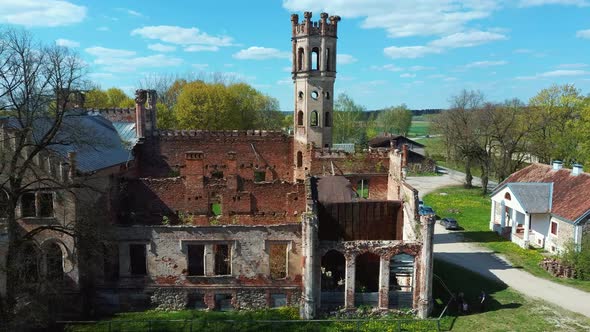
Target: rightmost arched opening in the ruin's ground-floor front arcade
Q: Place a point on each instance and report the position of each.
(401, 281)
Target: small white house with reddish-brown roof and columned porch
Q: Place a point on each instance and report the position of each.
(543, 206)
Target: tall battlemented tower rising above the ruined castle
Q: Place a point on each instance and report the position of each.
(314, 73)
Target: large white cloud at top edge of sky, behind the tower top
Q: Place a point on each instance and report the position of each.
(403, 18)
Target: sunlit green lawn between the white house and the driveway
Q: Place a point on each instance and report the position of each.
(472, 210)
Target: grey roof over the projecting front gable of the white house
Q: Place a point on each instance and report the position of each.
(534, 197)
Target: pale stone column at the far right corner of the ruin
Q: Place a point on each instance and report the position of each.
(425, 299)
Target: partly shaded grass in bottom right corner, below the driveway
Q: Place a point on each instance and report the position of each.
(506, 310)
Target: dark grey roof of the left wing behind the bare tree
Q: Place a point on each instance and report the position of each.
(93, 138)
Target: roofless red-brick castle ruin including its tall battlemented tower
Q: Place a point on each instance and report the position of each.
(254, 219)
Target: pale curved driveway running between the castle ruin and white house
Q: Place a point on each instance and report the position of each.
(451, 248)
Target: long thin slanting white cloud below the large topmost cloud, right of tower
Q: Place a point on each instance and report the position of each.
(456, 40)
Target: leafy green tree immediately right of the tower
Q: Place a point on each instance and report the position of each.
(347, 116)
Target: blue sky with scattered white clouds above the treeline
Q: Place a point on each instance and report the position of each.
(417, 52)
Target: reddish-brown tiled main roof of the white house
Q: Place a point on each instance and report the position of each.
(570, 192)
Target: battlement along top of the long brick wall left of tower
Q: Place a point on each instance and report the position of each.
(218, 134)
